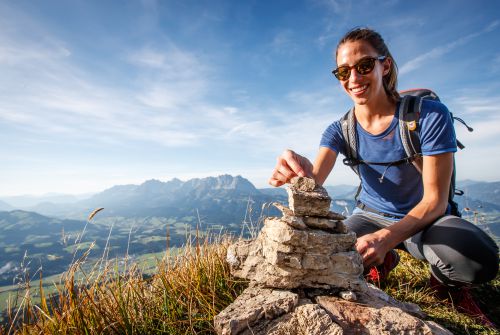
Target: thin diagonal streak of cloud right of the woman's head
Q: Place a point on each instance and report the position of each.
(437, 52)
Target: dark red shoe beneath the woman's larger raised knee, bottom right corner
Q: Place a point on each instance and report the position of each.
(462, 300)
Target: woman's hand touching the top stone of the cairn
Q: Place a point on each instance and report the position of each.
(290, 164)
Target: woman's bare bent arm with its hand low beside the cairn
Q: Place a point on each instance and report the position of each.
(436, 176)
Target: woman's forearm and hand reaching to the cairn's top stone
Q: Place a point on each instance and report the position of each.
(290, 164)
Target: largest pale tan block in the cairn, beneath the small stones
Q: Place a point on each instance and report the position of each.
(286, 258)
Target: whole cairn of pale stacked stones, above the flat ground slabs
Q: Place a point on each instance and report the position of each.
(308, 247)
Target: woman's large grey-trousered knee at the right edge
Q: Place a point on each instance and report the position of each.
(460, 251)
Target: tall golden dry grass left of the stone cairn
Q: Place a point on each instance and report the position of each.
(182, 297)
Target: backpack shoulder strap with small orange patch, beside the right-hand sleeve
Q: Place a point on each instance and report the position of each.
(409, 115)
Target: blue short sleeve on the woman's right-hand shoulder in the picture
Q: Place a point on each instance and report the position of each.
(437, 134)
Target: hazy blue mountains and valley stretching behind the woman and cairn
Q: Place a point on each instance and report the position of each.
(137, 218)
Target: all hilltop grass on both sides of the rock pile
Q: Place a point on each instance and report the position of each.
(184, 293)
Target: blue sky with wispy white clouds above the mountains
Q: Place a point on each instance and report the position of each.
(99, 93)
